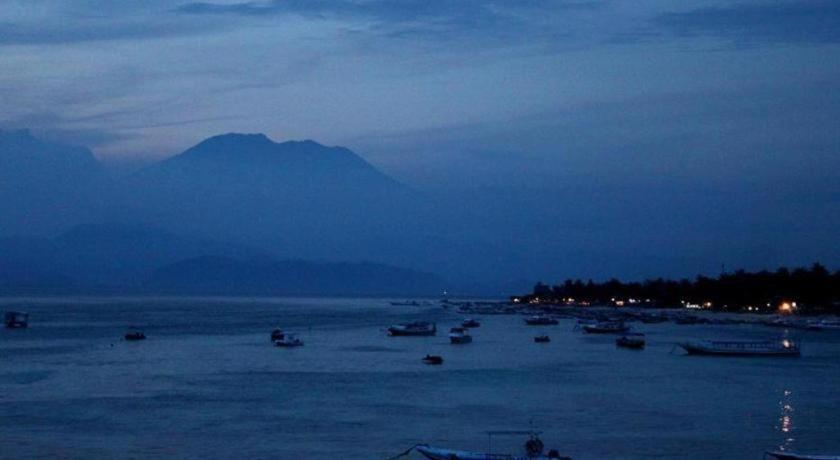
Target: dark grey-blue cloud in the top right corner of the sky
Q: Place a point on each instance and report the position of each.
(793, 22)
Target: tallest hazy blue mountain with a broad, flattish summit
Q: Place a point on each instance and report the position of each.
(300, 199)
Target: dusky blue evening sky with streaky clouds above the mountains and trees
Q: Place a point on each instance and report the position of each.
(723, 109)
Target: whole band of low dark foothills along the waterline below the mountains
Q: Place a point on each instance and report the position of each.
(139, 259)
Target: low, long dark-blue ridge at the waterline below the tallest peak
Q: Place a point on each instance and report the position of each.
(260, 276)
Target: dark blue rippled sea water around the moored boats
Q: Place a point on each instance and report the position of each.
(207, 383)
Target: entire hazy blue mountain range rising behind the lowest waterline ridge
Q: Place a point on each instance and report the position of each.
(295, 200)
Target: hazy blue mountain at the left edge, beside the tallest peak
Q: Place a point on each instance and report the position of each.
(45, 187)
